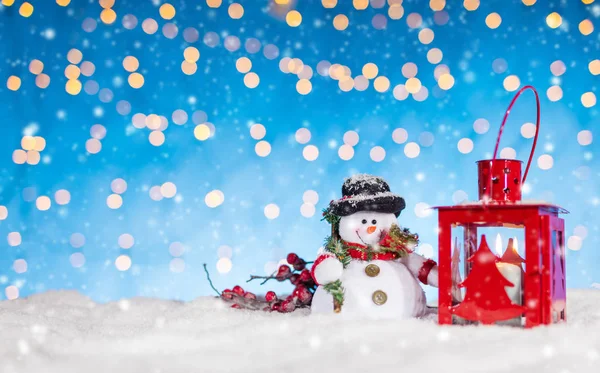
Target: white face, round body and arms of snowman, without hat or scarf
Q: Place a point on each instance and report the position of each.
(386, 289)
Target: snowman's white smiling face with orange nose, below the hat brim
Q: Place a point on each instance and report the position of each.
(366, 227)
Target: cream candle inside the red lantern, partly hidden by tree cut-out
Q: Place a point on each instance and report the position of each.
(510, 267)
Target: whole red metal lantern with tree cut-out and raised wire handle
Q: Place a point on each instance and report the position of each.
(500, 290)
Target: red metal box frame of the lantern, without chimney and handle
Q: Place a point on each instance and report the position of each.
(540, 222)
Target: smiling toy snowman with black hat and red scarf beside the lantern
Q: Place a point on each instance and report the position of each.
(368, 268)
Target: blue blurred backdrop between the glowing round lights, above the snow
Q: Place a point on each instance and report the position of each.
(228, 162)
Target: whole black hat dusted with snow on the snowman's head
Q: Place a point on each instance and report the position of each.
(366, 193)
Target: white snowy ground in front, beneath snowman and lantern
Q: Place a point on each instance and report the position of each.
(67, 332)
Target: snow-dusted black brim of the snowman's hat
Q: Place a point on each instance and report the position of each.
(385, 203)
